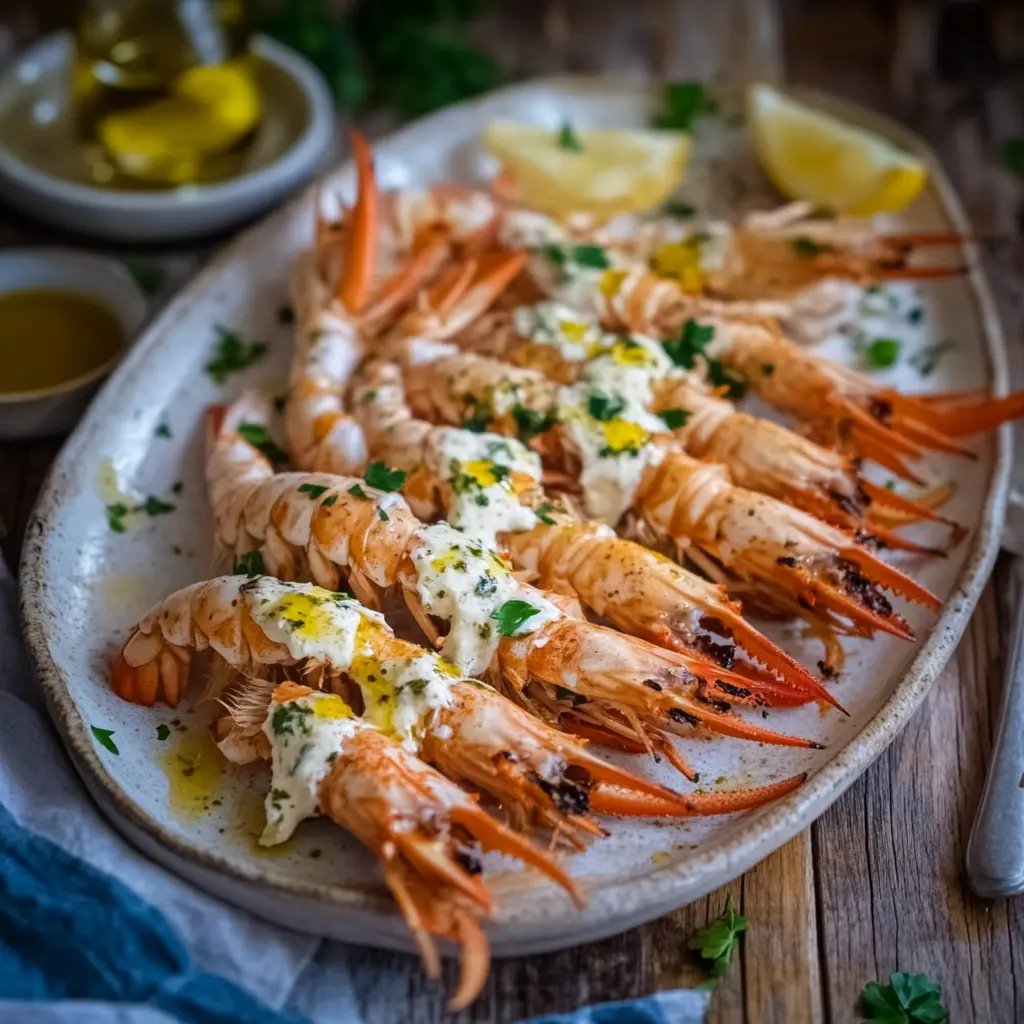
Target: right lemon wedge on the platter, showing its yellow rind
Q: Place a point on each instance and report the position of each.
(814, 156)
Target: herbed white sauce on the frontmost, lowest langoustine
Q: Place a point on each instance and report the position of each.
(307, 736)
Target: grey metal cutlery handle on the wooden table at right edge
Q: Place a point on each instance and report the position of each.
(996, 850)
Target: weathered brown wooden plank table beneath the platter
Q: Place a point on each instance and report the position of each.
(876, 885)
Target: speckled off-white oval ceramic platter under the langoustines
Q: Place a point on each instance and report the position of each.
(155, 774)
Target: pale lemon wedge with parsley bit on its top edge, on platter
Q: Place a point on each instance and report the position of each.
(604, 173)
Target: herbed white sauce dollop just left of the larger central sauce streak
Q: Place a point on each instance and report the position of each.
(484, 501)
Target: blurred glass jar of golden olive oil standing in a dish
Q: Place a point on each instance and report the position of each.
(165, 91)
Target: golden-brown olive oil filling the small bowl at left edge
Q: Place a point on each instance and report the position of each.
(54, 338)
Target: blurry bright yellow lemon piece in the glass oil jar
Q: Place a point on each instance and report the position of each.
(210, 110)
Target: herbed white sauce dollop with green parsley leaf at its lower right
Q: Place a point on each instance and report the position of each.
(464, 583)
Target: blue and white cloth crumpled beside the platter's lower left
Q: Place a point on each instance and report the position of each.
(94, 933)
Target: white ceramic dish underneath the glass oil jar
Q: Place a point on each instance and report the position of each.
(36, 136)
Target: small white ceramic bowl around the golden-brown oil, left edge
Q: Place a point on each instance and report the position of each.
(55, 410)
